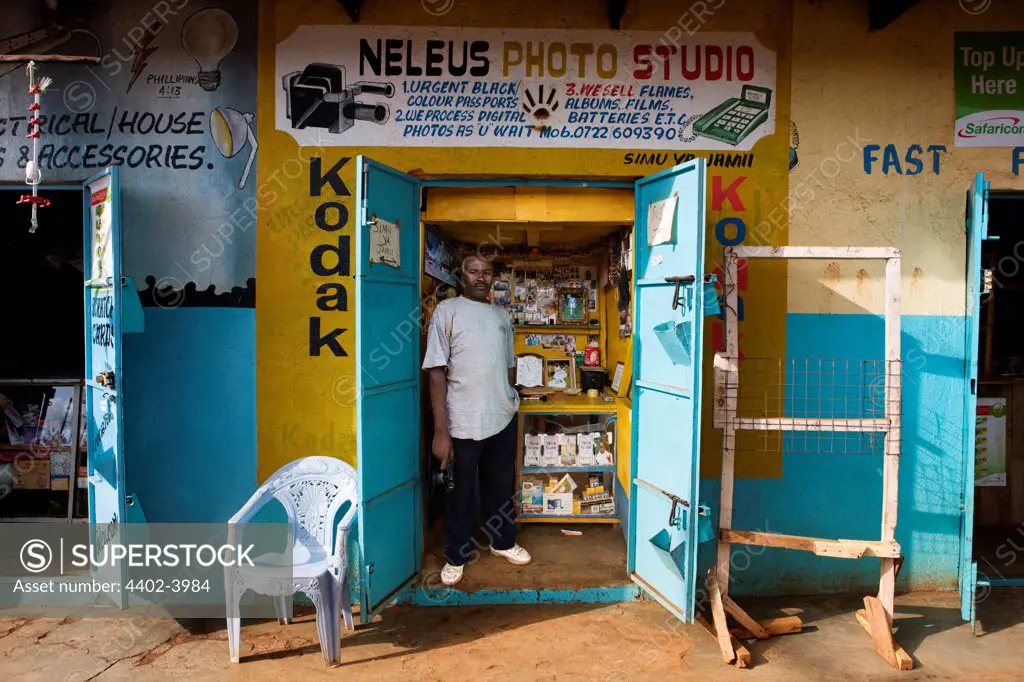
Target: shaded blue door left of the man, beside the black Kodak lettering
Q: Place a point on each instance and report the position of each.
(388, 355)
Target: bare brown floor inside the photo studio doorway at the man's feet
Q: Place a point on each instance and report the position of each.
(598, 560)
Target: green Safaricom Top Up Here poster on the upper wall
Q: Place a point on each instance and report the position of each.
(989, 76)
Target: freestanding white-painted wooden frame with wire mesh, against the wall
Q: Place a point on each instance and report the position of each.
(727, 397)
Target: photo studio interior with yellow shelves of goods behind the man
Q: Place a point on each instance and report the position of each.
(564, 273)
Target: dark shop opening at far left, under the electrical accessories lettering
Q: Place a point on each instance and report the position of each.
(42, 361)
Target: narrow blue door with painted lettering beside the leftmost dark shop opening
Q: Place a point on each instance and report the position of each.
(104, 405)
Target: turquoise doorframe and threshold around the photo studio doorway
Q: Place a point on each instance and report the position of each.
(418, 594)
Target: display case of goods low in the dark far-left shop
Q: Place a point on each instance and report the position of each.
(41, 447)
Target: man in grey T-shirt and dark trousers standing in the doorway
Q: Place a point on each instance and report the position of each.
(472, 364)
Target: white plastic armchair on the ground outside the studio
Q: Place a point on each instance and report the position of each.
(312, 491)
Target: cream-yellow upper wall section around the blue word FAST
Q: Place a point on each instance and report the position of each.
(892, 87)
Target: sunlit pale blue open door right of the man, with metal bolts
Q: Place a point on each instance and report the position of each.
(669, 255)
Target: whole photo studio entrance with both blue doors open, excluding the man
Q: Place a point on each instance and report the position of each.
(604, 286)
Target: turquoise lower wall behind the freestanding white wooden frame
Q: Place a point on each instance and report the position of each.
(840, 496)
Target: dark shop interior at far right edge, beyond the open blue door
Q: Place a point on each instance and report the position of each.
(999, 510)
